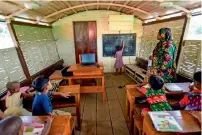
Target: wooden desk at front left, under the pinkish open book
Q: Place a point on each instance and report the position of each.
(61, 125)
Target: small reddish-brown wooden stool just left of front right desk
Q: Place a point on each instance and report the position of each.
(138, 125)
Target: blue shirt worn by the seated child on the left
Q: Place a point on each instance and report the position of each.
(41, 104)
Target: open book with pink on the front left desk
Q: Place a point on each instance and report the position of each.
(33, 128)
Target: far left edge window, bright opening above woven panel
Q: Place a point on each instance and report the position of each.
(10, 67)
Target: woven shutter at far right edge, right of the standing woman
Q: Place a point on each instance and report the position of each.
(190, 58)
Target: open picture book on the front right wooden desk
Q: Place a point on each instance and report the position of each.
(165, 122)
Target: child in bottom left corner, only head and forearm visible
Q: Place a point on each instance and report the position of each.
(13, 125)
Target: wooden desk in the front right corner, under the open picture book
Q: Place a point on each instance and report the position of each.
(189, 124)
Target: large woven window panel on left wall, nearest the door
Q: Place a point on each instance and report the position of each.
(38, 46)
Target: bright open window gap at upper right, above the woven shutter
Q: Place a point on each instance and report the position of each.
(195, 28)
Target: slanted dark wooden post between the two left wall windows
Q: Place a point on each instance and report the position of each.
(19, 52)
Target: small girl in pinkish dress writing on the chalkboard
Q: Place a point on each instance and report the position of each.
(119, 60)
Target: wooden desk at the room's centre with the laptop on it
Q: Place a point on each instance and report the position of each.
(80, 72)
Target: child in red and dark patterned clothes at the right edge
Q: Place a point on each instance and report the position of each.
(192, 100)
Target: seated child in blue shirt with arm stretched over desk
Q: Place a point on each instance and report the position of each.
(42, 104)
